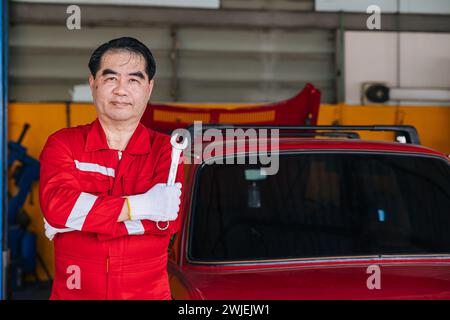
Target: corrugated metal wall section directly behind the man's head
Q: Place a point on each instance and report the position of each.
(46, 61)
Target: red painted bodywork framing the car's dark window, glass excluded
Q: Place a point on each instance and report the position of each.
(424, 276)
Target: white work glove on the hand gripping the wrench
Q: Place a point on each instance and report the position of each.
(160, 203)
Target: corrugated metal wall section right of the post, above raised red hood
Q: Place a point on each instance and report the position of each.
(254, 65)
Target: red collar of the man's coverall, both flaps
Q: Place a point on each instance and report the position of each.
(138, 144)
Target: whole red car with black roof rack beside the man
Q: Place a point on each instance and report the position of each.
(343, 218)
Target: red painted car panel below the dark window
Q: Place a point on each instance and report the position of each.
(430, 281)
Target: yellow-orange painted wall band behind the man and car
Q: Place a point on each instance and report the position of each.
(432, 123)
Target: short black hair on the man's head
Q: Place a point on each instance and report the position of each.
(124, 43)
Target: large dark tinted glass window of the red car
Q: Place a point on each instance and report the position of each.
(322, 205)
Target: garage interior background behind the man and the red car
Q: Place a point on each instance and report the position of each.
(222, 54)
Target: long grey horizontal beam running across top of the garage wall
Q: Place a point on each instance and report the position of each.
(109, 15)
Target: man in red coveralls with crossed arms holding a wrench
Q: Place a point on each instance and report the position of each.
(103, 187)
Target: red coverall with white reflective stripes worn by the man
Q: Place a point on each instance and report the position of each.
(82, 184)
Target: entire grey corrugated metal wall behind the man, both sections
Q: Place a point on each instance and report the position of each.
(211, 64)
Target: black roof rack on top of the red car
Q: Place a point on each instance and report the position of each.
(408, 132)
